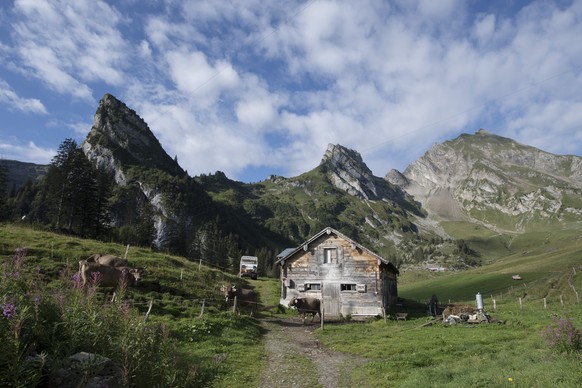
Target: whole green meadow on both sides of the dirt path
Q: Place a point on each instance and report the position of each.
(199, 342)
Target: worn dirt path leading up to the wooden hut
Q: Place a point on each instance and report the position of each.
(297, 359)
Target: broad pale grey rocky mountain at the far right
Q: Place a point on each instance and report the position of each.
(496, 182)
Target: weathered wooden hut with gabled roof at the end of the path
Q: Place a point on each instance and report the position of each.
(350, 279)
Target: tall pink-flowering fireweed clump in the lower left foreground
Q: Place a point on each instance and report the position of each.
(41, 327)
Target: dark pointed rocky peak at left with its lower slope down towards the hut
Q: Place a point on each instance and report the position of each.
(154, 194)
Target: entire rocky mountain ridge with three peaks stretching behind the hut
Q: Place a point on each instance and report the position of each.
(482, 178)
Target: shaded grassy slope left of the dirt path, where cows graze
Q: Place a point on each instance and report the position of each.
(206, 343)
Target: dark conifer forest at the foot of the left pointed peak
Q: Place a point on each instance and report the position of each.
(76, 198)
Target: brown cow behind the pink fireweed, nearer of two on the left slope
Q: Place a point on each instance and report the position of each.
(105, 276)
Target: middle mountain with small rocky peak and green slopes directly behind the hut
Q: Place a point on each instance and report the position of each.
(340, 192)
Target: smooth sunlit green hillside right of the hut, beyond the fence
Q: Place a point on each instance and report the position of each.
(544, 259)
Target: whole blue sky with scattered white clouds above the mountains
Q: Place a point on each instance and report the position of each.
(260, 87)
